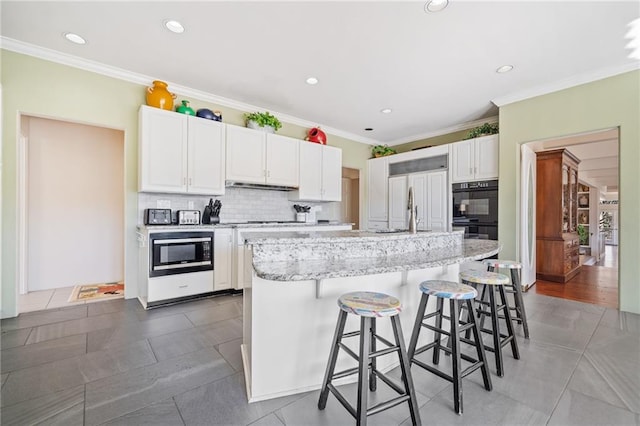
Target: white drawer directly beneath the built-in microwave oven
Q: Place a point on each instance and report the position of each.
(180, 285)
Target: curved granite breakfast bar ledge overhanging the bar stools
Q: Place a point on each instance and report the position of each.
(316, 269)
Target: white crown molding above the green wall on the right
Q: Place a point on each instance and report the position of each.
(565, 84)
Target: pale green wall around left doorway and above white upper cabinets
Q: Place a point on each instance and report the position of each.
(37, 87)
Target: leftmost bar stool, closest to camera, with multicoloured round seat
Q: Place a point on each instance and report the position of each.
(369, 306)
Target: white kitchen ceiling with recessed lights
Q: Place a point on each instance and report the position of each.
(436, 71)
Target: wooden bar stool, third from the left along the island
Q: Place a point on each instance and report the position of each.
(491, 281)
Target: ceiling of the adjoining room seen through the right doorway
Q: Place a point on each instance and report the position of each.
(598, 155)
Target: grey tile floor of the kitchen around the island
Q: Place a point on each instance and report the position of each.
(113, 363)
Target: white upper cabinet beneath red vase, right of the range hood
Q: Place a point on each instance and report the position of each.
(320, 173)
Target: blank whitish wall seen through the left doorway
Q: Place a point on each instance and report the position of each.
(75, 204)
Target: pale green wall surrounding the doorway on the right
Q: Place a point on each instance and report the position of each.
(607, 103)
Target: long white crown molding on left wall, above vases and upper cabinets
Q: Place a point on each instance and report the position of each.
(132, 77)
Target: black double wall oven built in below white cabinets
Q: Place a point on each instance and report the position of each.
(475, 207)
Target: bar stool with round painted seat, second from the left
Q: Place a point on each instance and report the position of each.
(455, 292)
